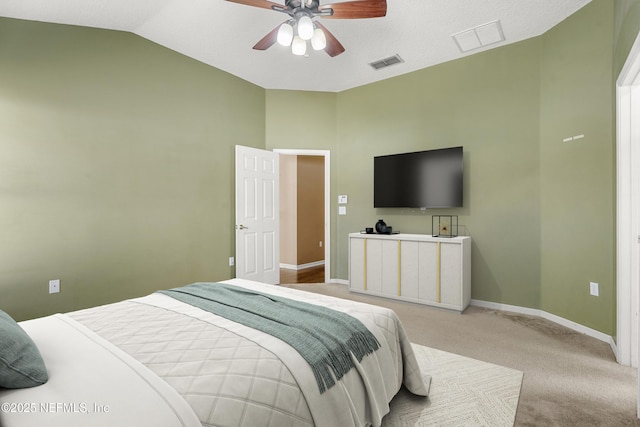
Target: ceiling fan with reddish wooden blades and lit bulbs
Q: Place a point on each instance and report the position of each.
(302, 24)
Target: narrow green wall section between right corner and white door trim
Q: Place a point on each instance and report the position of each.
(577, 185)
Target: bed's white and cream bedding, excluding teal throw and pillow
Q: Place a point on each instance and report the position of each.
(159, 361)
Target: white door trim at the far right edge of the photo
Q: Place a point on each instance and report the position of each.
(628, 212)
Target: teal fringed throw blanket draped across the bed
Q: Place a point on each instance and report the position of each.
(325, 338)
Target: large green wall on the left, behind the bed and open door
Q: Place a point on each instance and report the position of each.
(116, 173)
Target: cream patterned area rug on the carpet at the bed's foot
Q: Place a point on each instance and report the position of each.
(464, 392)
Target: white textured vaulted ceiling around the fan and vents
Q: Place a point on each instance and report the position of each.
(222, 34)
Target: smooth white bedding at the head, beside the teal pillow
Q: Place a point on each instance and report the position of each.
(91, 383)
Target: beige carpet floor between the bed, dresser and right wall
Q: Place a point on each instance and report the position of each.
(570, 379)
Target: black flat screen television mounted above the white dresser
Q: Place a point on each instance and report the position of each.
(424, 179)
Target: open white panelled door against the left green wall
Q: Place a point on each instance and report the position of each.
(257, 215)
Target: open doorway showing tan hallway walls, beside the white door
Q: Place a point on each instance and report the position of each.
(304, 216)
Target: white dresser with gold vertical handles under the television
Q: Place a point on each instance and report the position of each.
(412, 267)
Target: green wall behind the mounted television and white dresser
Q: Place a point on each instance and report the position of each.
(489, 104)
